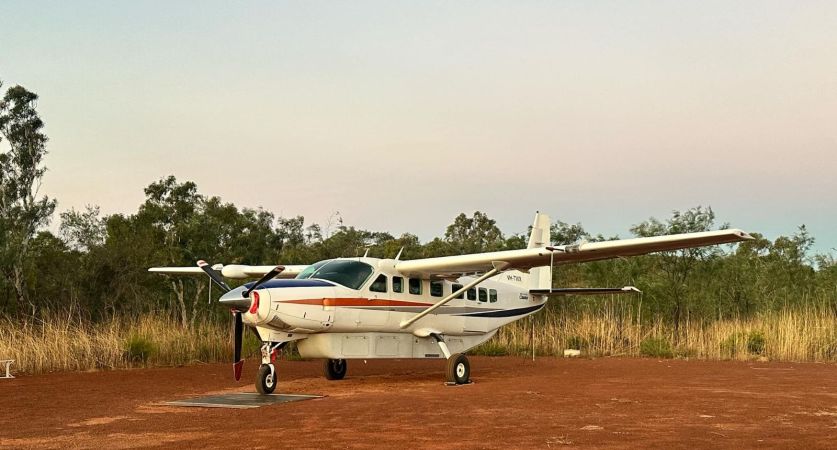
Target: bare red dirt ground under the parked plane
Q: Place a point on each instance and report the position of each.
(513, 403)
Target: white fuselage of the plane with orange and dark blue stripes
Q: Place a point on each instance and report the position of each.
(334, 321)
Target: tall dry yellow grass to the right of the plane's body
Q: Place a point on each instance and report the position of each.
(614, 330)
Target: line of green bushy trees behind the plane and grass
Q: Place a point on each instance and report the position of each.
(96, 265)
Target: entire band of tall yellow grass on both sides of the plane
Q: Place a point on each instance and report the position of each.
(68, 344)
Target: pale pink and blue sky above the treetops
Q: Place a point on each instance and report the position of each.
(402, 114)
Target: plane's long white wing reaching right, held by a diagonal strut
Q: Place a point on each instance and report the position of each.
(525, 259)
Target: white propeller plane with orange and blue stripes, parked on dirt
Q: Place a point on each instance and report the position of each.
(368, 308)
